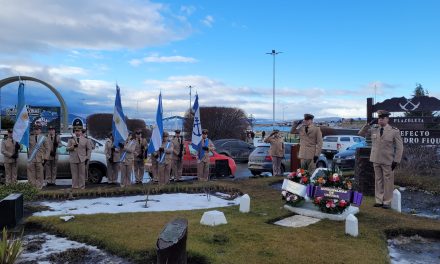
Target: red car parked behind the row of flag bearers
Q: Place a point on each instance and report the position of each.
(220, 165)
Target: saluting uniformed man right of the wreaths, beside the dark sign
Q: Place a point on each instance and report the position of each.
(386, 153)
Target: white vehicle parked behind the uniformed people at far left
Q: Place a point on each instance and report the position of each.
(97, 165)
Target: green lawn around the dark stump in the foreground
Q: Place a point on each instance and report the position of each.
(247, 238)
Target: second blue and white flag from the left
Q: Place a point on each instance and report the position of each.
(119, 126)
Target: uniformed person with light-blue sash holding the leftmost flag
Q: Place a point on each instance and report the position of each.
(38, 144)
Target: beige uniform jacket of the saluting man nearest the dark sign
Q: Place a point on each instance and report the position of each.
(386, 148)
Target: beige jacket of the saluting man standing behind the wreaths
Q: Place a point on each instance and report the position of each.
(310, 143)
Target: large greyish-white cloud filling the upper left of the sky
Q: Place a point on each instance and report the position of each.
(43, 25)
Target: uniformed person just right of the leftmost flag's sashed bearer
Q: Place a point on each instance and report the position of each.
(50, 169)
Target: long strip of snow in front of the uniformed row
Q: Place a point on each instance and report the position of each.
(129, 204)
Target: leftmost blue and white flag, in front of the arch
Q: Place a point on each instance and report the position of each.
(21, 126)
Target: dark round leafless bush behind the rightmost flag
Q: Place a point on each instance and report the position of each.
(222, 122)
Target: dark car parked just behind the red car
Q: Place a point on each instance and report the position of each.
(234, 148)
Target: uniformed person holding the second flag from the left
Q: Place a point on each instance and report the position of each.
(127, 160)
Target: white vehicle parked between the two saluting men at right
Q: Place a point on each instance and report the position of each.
(334, 143)
